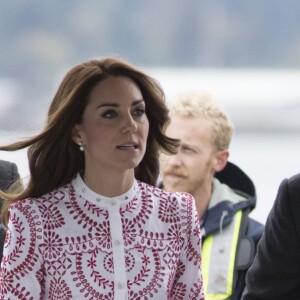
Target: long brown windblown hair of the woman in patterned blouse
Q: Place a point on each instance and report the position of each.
(54, 159)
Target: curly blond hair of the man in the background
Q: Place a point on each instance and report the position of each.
(201, 104)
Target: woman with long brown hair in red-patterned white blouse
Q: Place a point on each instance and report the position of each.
(90, 224)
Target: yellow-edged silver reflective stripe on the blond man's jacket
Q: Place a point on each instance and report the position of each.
(218, 260)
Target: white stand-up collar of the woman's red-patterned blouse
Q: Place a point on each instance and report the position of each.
(84, 191)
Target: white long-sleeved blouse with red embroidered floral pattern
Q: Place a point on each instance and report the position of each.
(75, 244)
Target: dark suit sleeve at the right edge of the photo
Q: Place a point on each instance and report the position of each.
(275, 273)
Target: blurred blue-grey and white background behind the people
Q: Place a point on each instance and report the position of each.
(245, 53)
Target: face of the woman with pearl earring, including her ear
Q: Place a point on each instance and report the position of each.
(114, 127)
